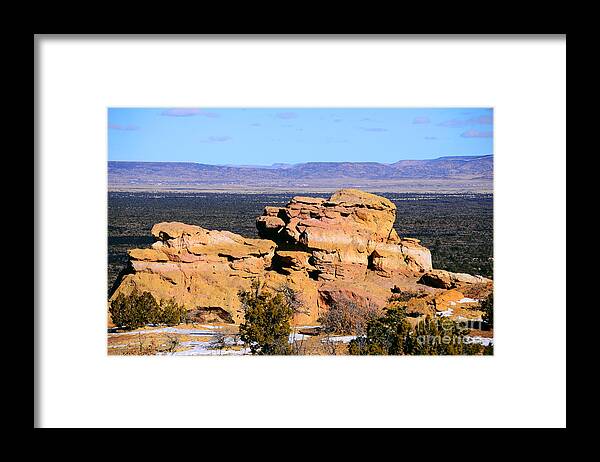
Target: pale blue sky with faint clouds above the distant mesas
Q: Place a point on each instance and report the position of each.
(293, 135)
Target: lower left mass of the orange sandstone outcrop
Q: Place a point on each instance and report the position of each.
(202, 269)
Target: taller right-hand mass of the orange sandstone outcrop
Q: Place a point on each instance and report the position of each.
(348, 234)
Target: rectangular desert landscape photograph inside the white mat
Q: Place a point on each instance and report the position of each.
(300, 231)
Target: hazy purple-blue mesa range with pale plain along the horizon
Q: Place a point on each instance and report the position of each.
(464, 170)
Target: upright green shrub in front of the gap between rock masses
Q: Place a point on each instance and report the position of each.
(266, 327)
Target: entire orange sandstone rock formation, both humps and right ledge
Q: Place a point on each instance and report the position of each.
(327, 250)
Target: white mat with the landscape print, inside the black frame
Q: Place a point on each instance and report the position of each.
(300, 231)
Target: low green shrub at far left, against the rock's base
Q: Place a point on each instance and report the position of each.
(136, 310)
